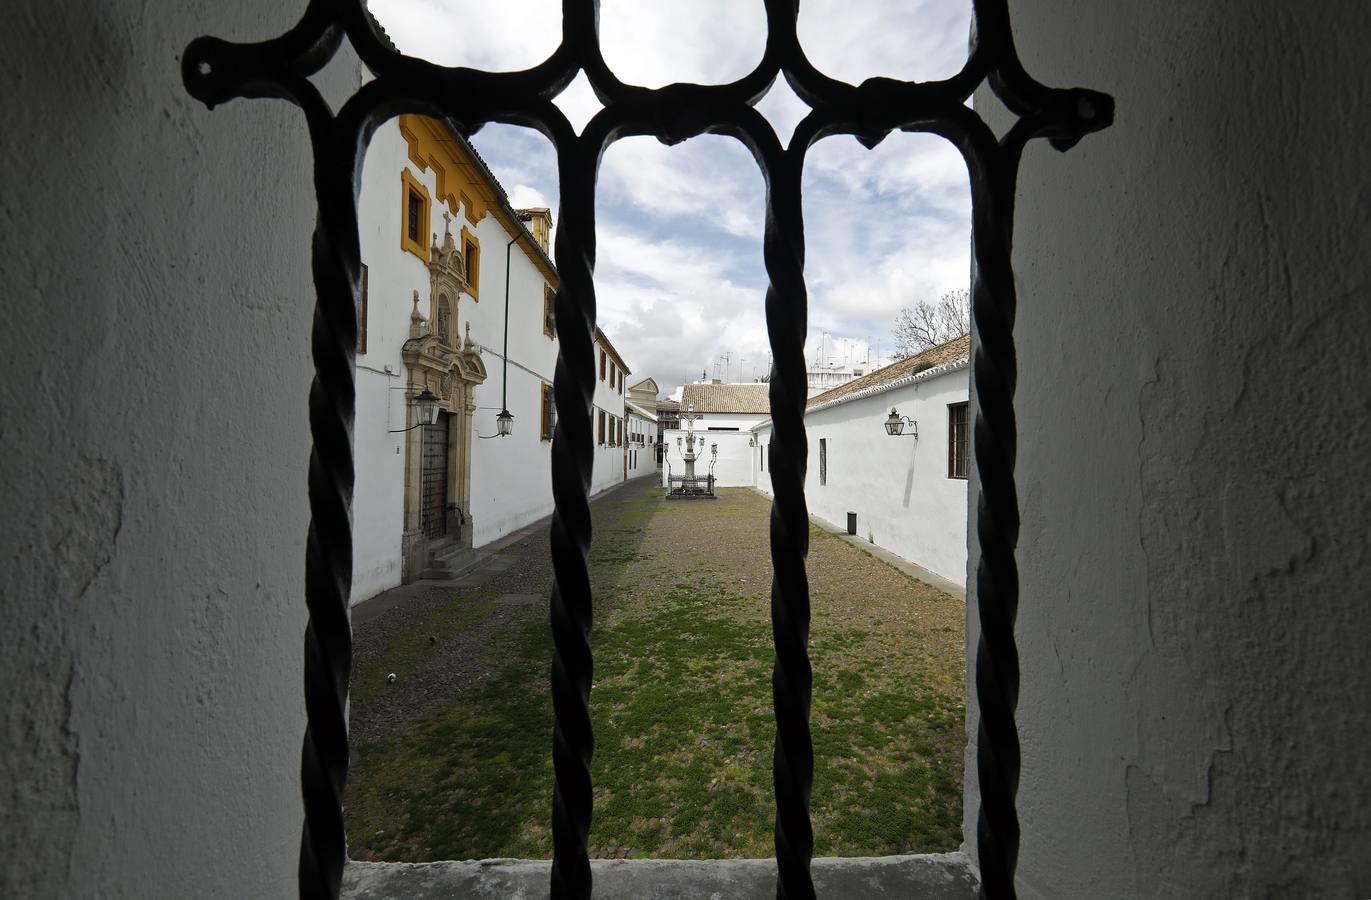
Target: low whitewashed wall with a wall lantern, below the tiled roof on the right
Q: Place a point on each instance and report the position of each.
(897, 486)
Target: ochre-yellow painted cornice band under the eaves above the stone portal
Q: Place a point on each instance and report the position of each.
(461, 182)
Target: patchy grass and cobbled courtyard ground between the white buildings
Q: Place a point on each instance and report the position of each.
(453, 759)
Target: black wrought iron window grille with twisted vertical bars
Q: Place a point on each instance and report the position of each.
(216, 72)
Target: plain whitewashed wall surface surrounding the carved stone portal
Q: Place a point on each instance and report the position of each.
(511, 477)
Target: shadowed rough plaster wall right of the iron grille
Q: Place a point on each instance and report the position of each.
(1195, 331)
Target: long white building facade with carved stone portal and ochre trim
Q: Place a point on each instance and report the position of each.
(435, 231)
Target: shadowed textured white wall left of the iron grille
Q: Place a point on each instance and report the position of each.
(153, 448)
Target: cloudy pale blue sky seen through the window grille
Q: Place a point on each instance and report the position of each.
(679, 267)
